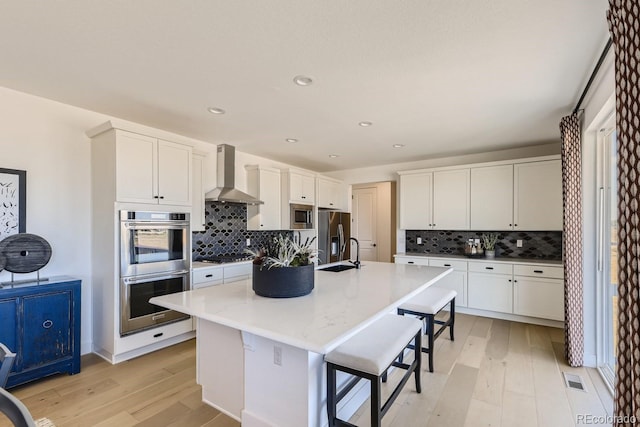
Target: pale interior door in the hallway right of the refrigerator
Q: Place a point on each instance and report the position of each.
(364, 207)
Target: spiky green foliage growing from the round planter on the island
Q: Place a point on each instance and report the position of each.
(285, 251)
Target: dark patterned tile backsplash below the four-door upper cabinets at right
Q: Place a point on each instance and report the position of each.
(536, 244)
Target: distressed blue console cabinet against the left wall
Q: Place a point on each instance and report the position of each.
(40, 322)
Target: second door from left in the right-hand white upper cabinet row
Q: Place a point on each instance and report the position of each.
(451, 200)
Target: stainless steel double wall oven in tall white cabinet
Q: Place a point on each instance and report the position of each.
(154, 260)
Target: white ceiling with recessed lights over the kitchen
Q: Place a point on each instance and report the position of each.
(441, 77)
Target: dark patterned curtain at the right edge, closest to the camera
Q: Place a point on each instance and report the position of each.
(624, 24)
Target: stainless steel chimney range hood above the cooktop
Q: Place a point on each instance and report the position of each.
(226, 191)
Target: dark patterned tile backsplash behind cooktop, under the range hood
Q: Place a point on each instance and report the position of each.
(226, 232)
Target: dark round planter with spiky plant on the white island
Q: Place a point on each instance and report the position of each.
(284, 268)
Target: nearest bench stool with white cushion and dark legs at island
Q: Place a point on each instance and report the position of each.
(368, 355)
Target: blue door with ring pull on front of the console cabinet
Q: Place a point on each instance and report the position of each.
(47, 328)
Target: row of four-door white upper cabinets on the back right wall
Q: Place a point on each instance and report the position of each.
(506, 195)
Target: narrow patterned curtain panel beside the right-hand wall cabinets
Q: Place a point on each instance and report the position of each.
(572, 230)
